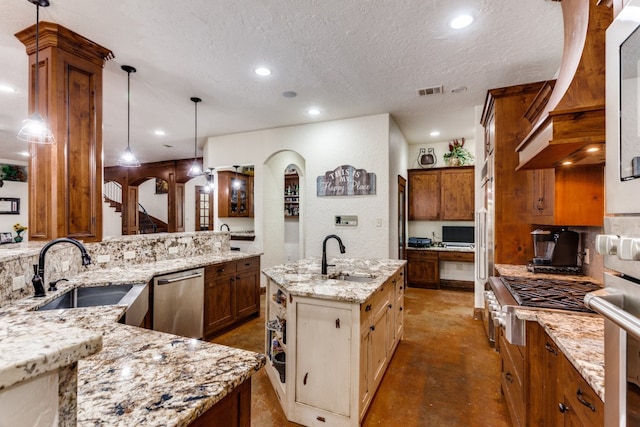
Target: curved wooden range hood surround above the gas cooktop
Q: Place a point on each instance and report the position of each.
(573, 119)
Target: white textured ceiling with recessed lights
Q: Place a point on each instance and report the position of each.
(348, 58)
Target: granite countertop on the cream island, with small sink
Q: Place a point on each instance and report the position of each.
(303, 277)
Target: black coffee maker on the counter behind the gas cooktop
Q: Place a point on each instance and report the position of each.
(558, 248)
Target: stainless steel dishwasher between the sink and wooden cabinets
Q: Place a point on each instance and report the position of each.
(178, 303)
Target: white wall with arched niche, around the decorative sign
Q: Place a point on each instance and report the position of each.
(363, 142)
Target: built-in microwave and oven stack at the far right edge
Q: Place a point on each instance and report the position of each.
(619, 301)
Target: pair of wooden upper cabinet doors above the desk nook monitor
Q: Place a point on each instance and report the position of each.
(445, 194)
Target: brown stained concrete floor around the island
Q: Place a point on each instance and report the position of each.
(444, 373)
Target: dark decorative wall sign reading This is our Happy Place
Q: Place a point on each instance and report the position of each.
(346, 180)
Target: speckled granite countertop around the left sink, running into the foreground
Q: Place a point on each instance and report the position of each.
(140, 377)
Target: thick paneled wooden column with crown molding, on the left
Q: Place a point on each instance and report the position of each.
(65, 179)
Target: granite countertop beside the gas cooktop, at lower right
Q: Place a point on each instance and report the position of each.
(581, 339)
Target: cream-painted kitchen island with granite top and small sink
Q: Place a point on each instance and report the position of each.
(329, 341)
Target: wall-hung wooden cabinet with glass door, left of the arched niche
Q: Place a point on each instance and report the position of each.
(235, 194)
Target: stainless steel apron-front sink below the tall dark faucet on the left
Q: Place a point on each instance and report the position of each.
(135, 297)
